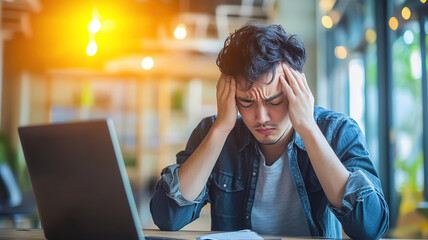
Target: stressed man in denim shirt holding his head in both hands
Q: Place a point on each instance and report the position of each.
(283, 167)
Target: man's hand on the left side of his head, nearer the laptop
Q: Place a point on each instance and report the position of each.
(227, 111)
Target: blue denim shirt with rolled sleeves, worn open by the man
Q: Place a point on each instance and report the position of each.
(232, 183)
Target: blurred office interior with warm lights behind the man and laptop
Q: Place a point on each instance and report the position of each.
(150, 67)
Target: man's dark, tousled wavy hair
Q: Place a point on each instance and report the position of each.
(255, 49)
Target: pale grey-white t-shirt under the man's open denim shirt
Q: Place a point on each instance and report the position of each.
(277, 209)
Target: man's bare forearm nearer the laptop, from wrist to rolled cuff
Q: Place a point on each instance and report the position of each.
(194, 173)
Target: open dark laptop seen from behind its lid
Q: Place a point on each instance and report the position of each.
(80, 181)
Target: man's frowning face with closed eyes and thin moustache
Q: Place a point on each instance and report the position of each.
(264, 108)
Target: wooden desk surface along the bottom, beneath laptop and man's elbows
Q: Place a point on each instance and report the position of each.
(37, 234)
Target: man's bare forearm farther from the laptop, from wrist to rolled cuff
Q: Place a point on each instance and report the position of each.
(330, 171)
